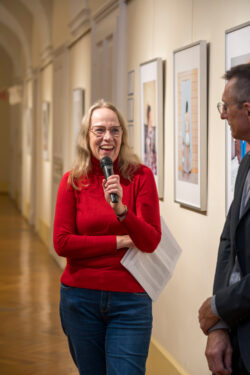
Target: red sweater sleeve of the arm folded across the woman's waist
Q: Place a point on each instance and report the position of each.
(67, 242)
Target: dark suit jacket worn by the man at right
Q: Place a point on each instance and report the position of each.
(233, 302)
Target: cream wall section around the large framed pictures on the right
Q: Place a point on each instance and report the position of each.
(155, 29)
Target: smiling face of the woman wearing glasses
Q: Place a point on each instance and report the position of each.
(105, 134)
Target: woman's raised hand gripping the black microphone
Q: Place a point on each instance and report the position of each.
(112, 185)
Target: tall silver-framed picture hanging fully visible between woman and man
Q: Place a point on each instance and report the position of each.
(190, 125)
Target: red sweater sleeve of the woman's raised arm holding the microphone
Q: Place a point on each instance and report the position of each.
(144, 227)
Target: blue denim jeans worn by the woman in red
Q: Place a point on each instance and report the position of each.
(108, 332)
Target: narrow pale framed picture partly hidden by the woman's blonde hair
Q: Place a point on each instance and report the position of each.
(78, 112)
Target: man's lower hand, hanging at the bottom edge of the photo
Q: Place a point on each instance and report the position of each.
(219, 352)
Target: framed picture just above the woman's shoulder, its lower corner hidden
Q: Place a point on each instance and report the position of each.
(151, 118)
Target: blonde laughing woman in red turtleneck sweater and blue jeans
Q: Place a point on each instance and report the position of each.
(105, 313)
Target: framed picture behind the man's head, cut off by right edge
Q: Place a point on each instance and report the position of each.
(237, 52)
